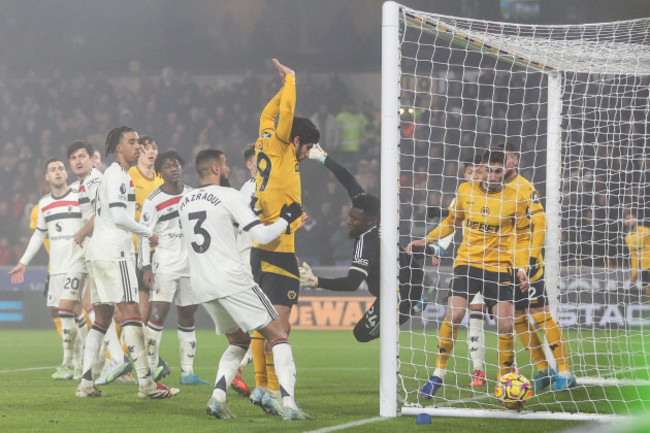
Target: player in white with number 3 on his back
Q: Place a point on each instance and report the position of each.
(210, 216)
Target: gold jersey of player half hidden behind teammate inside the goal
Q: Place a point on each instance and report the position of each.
(531, 241)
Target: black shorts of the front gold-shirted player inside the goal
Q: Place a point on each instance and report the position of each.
(495, 287)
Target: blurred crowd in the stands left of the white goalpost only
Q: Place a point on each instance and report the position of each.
(40, 116)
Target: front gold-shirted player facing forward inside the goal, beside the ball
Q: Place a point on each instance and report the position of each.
(492, 214)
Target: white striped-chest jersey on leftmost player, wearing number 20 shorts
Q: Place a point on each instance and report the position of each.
(61, 218)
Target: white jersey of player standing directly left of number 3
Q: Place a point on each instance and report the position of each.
(160, 213)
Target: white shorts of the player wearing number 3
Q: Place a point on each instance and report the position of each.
(247, 310)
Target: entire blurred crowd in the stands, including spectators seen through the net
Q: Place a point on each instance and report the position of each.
(448, 125)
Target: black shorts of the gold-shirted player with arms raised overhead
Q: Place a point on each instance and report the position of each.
(277, 274)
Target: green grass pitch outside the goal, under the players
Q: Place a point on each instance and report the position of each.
(337, 384)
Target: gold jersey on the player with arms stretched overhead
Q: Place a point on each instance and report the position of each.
(278, 177)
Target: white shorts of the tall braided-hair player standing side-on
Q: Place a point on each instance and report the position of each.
(115, 281)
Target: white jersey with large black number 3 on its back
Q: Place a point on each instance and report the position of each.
(210, 217)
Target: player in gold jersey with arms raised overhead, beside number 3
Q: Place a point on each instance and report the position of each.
(279, 151)
